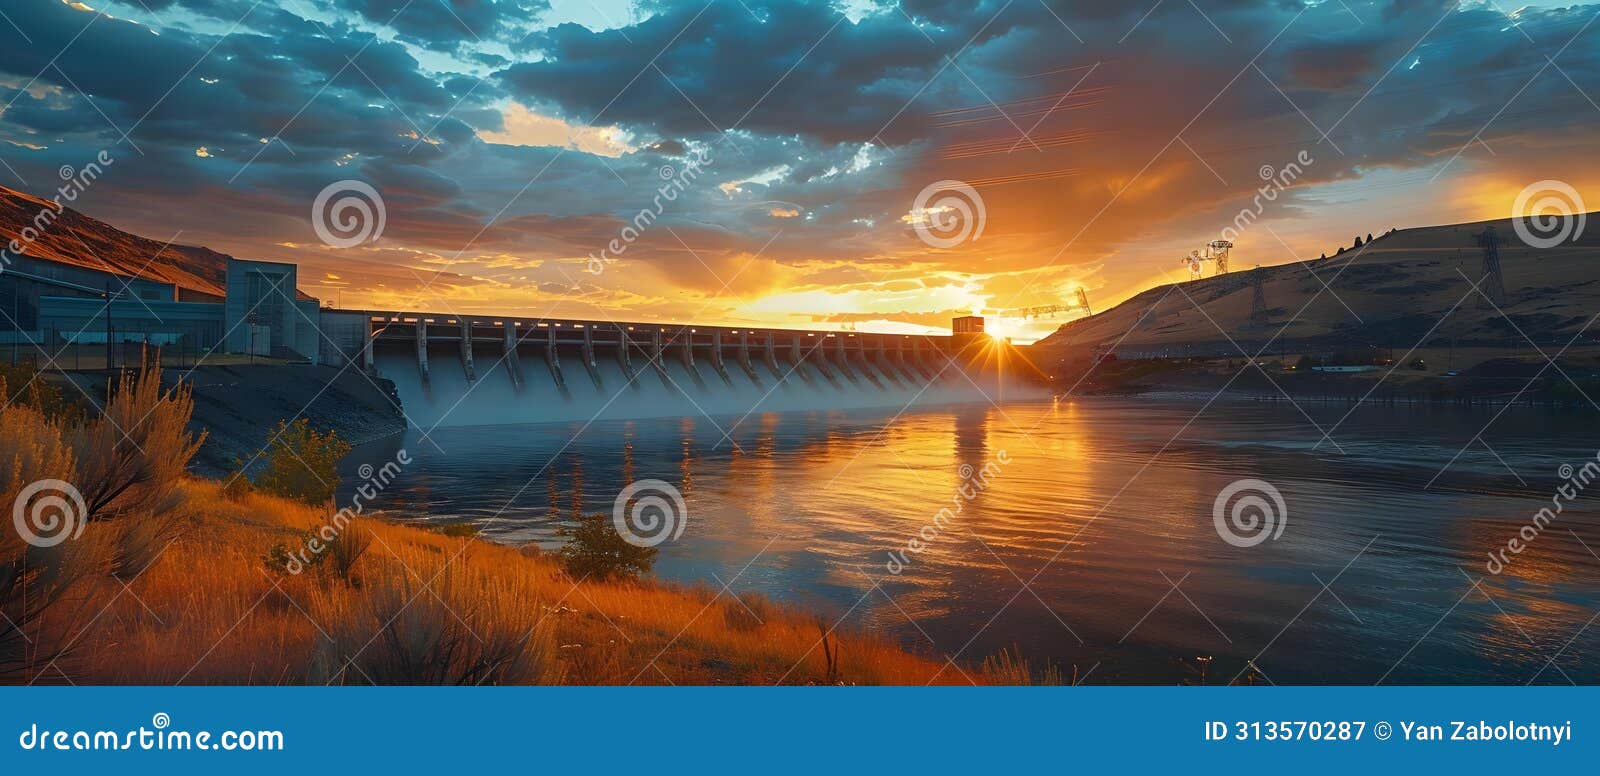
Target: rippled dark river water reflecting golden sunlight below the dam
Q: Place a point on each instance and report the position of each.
(1105, 508)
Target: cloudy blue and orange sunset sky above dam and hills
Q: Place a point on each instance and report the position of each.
(511, 142)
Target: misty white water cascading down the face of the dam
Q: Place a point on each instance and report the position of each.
(449, 399)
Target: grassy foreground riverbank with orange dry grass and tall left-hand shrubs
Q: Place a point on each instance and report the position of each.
(124, 569)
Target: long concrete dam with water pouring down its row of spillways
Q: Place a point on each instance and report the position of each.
(489, 370)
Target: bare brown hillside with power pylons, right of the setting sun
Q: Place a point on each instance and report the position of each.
(1390, 294)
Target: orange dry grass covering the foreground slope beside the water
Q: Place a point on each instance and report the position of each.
(207, 610)
